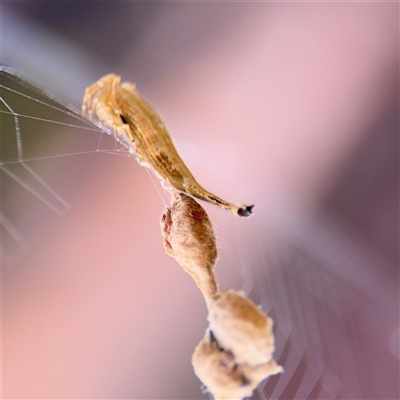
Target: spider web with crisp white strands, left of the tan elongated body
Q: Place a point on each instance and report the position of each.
(41, 140)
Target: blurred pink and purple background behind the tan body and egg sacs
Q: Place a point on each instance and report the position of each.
(291, 106)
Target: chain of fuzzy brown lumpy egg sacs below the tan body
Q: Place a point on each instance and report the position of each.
(236, 353)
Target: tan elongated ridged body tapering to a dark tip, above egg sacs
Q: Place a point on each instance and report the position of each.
(136, 124)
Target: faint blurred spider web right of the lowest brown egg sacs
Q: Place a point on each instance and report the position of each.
(329, 303)
